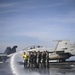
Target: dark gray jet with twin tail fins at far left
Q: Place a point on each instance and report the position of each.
(7, 54)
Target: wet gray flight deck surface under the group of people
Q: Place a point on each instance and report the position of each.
(54, 69)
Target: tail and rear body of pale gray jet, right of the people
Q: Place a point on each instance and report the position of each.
(63, 50)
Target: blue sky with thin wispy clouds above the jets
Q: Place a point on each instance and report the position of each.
(36, 22)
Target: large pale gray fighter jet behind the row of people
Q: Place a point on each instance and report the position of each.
(63, 50)
